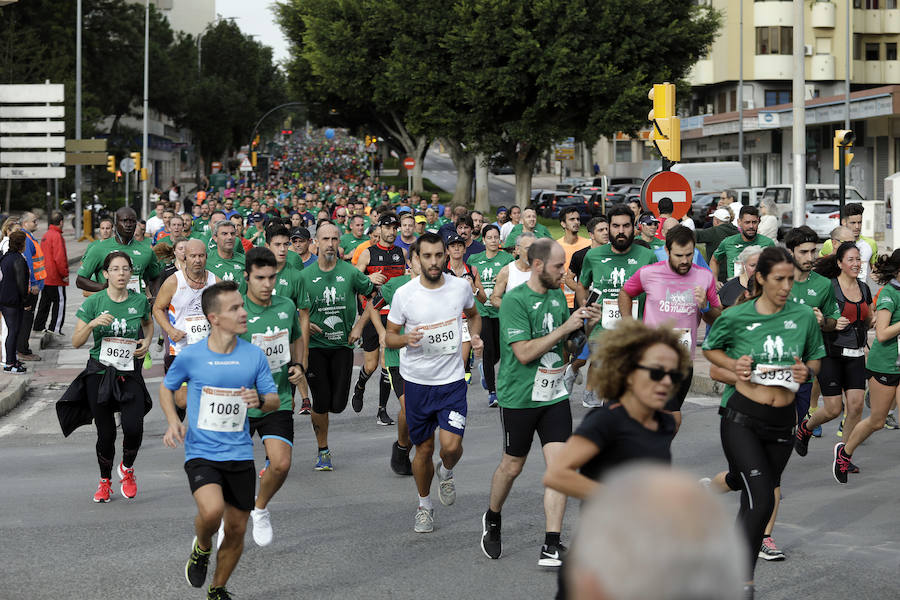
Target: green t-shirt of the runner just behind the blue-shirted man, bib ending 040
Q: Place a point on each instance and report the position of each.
(264, 323)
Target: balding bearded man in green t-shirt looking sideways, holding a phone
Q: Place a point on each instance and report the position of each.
(535, 323)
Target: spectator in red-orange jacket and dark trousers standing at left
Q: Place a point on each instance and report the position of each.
(53, 297)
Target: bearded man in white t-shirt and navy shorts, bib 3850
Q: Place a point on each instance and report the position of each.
(429, 308)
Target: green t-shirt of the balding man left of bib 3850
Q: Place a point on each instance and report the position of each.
(330, 297)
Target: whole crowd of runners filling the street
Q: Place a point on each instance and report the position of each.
(259, 294)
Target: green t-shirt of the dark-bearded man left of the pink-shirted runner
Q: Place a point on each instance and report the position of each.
(606, 272)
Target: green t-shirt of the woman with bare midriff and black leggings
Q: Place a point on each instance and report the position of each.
(768, 339)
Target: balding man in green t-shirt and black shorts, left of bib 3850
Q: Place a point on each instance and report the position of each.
(327, 313)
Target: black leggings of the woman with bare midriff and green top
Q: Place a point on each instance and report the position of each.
(758, 441)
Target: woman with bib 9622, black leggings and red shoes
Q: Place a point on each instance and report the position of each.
(119, 321)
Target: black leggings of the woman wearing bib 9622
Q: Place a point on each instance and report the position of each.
(104, 420)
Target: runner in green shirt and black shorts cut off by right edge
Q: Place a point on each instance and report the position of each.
(881, 366)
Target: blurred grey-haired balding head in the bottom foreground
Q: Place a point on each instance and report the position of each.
(653, 532)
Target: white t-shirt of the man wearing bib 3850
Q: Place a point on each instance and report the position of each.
(437, 360)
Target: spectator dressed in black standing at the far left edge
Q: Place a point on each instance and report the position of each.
(13, 294)
